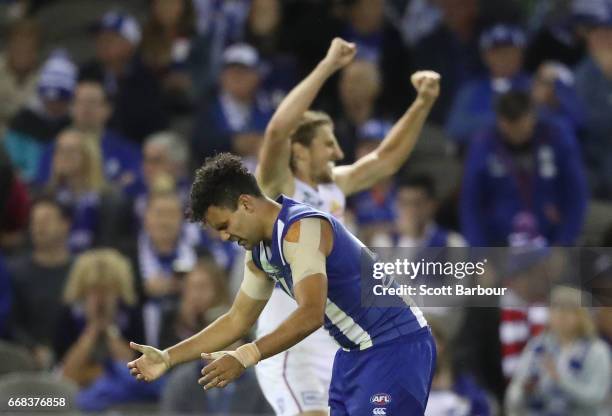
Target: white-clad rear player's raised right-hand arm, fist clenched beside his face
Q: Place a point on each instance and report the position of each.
(394, 150)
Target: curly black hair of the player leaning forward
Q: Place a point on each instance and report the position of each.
(220, 182)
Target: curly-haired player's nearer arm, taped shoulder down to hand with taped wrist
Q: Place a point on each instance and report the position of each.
(306, 246)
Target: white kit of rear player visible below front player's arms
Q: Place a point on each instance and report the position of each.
(296, 380)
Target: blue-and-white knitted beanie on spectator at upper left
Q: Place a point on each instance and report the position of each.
(58, 77)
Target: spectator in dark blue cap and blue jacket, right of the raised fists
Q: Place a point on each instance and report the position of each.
(473, 107)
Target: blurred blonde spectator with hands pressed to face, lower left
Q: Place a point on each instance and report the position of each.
(100, 315)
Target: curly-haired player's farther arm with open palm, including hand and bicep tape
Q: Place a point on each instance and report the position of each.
(254, 293)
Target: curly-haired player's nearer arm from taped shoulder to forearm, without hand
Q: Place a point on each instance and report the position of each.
(310, 239)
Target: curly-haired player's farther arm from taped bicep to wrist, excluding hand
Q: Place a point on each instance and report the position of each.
(230, 327)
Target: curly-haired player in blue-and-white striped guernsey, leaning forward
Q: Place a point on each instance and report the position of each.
(387, 359)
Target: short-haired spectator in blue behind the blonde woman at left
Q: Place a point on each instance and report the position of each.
(90, 112)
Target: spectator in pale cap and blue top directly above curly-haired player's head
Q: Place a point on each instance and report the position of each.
(235, 118)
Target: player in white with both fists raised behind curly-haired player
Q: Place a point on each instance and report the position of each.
(297, 159)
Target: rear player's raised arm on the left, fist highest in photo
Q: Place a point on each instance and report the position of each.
(273, 172)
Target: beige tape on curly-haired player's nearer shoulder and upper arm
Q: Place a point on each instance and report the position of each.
(305, 257)
